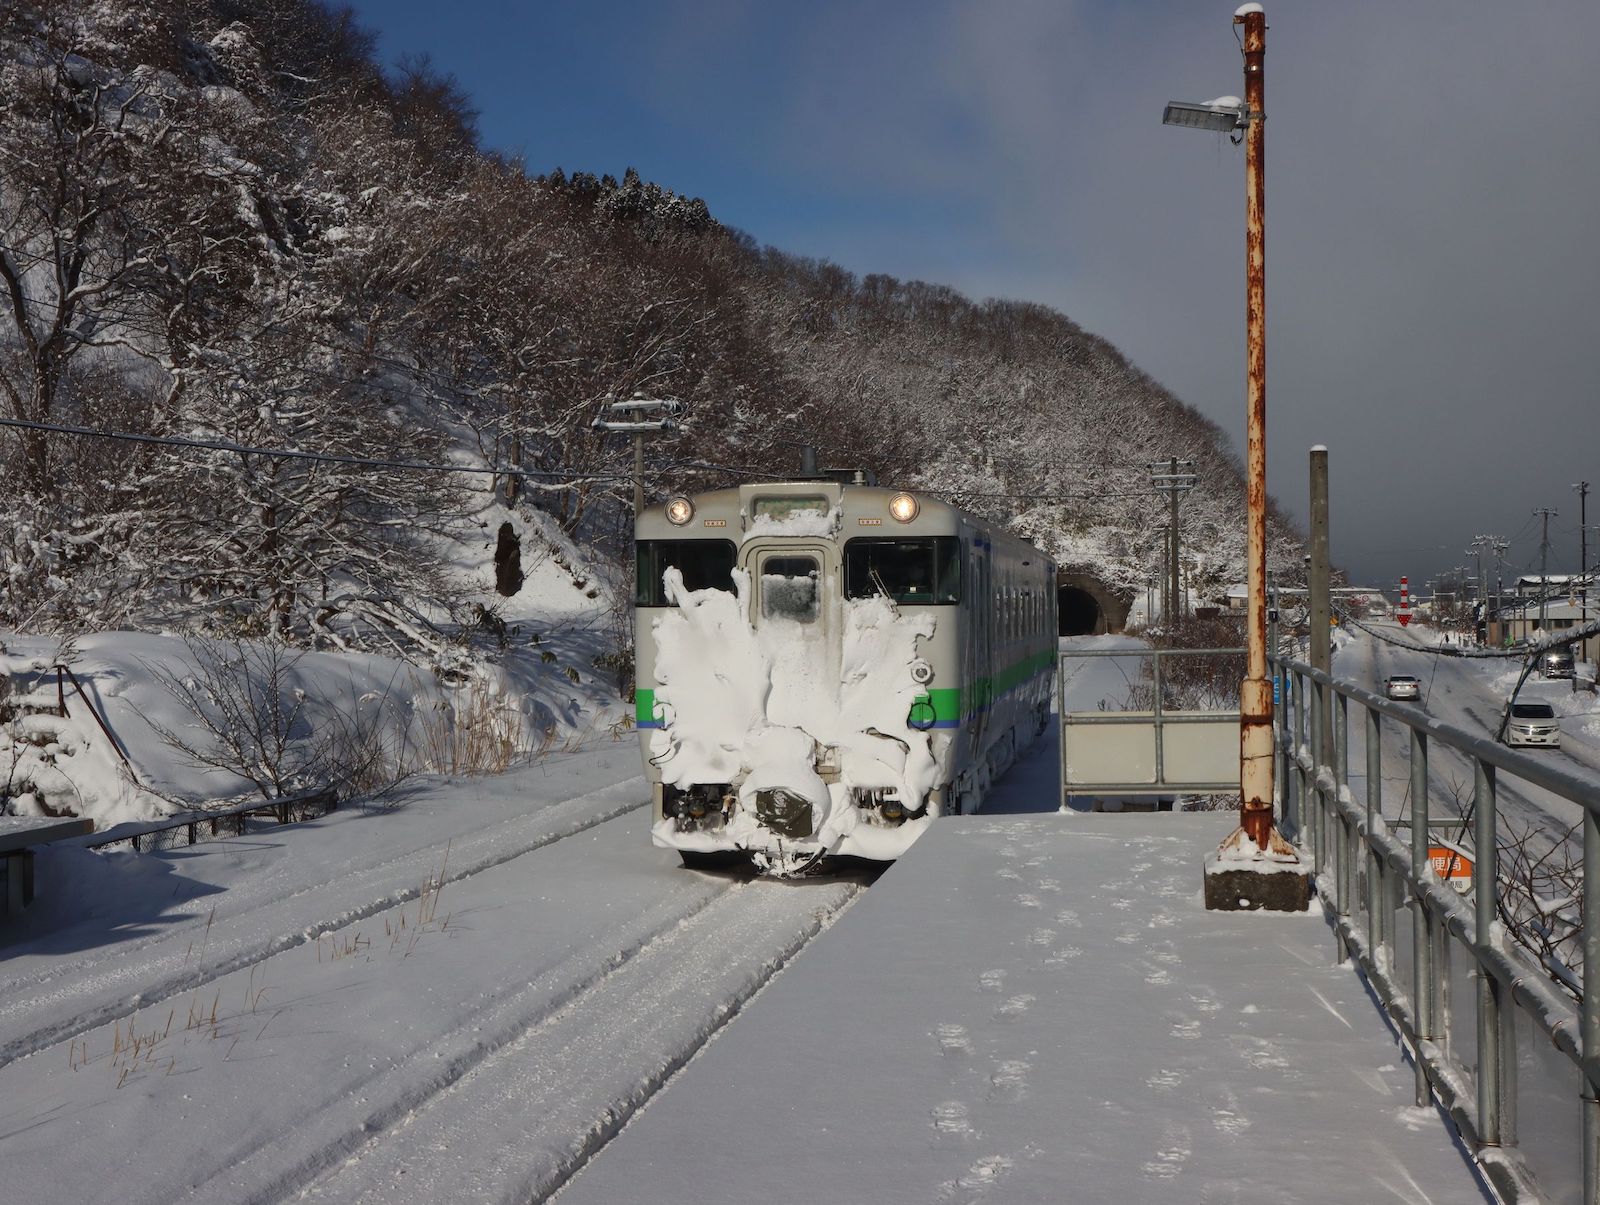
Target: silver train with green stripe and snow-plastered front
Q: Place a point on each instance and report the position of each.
(825, 667)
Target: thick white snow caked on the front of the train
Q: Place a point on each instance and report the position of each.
(759, 707)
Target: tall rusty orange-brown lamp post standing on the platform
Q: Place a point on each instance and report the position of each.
(1255, 705)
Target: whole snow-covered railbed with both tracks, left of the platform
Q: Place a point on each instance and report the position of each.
(340, 1030)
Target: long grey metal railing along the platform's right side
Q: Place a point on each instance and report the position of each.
(1369, 879)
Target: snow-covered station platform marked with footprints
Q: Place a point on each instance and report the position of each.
(1098, 1036)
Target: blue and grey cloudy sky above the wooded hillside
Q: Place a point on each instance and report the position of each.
(1431, 182)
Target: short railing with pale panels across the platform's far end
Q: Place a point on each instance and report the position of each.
(1161, 751)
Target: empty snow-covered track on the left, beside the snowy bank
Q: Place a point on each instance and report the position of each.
(321, 879)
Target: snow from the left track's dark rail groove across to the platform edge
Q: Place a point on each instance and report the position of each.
(588, 967)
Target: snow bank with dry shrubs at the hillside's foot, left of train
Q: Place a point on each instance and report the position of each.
(194, 719)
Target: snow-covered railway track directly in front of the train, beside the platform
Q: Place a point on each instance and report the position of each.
(529, 1094)
